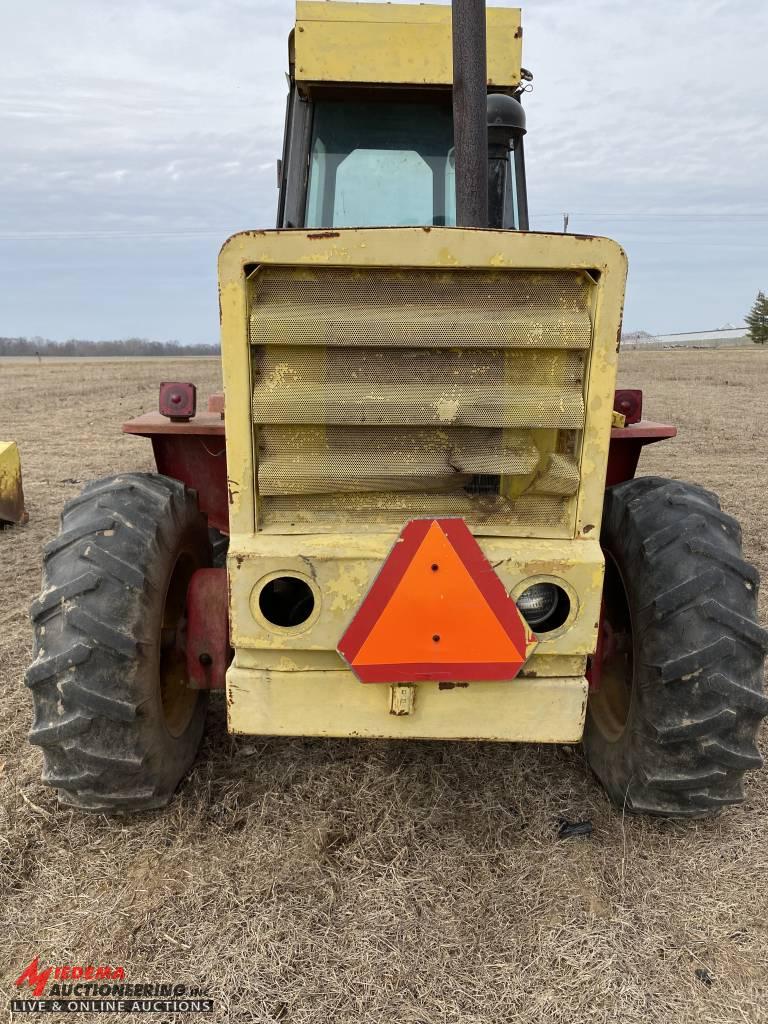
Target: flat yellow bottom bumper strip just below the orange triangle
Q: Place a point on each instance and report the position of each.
(335, 704)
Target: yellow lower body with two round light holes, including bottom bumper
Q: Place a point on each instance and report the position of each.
(292, 681)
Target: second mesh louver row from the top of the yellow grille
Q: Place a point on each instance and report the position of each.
(419, 387)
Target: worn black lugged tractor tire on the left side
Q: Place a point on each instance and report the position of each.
(116, 721)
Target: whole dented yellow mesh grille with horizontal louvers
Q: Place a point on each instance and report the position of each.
(381, 396)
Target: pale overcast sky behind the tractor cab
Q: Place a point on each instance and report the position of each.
(136, 137)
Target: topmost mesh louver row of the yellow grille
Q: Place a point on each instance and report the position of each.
(429, 309)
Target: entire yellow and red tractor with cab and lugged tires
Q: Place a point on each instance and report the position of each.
(422, 468)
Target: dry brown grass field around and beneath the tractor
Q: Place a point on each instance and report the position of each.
(310, 882)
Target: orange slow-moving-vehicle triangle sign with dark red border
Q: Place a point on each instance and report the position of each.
(437, 611)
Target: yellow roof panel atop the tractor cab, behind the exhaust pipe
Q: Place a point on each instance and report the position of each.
(402, 45)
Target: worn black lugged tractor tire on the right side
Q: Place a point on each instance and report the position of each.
(672, 728)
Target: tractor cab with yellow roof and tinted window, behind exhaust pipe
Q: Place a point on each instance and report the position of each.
(370, 142)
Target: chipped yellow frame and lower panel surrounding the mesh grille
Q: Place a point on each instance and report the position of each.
(293, 680)
